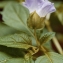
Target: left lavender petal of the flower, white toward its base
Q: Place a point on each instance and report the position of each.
(32, 5)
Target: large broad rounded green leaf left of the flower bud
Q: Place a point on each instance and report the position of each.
(16, 15)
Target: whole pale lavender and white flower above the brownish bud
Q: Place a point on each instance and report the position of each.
(42, 7)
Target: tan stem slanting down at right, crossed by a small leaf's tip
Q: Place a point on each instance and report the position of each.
(55, 41)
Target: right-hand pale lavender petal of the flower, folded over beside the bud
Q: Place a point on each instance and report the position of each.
(47, 7)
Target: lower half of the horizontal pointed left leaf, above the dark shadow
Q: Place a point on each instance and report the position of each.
(15, 45)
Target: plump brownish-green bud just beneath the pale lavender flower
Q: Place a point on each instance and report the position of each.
(35, 21)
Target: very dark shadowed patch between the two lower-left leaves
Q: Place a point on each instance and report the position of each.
(13, 52)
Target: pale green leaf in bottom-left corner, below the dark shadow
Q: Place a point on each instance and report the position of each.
(4, 58)
